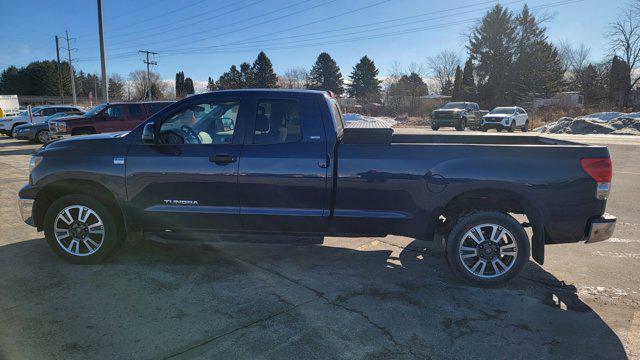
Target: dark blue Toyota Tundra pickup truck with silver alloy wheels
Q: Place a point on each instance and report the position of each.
(282, 163)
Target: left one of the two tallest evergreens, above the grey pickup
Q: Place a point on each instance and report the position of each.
(492, 45)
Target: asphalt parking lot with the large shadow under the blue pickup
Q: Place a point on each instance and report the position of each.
(349, 298)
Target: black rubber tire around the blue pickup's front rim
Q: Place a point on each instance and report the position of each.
(109, 244)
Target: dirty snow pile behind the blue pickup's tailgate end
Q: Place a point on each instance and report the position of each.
(623, 124)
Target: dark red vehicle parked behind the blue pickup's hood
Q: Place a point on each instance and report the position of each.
(108, 117)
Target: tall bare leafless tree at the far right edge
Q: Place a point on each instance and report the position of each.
(624, 39)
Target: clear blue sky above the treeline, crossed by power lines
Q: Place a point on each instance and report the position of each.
(204, 37)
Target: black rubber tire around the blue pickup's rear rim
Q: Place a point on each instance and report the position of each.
(515, 235)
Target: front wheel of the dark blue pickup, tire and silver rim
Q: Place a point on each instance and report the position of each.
(81, 230)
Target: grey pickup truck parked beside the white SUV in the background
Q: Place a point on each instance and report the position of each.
(458, 115)
